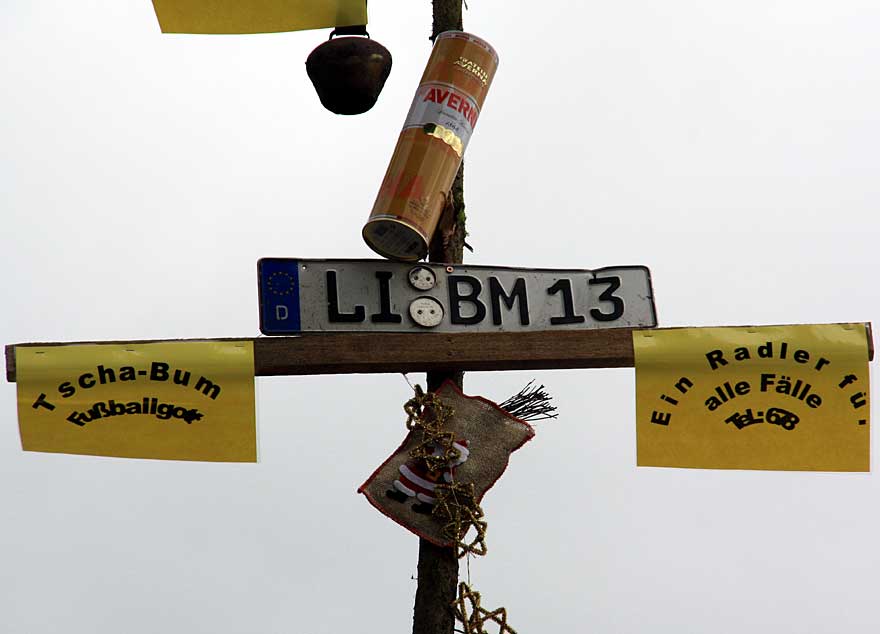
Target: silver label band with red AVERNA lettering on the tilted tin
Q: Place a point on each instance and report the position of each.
(445, 112)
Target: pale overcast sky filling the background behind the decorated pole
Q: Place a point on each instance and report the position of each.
(730, 147)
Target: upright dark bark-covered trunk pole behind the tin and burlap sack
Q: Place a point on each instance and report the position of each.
(438, 567)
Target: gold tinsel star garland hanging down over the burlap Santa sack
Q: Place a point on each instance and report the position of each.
(456, 505)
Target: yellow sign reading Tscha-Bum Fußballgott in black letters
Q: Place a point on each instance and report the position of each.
(170, 400)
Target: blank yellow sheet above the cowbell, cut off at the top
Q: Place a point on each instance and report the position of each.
(257, 16)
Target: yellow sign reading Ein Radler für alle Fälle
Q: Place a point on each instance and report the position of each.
(793, 398)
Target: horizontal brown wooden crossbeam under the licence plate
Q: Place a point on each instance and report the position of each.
(364, 353)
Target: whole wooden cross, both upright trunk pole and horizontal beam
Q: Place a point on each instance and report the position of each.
(442, 356)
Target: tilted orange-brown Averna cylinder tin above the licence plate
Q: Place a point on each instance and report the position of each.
(431, 145)
